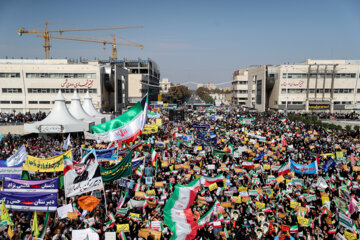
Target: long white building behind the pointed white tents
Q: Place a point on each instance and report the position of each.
(31, 85)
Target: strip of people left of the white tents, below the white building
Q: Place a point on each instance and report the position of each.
(12, 118)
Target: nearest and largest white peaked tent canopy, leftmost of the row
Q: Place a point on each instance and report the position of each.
(59, 120)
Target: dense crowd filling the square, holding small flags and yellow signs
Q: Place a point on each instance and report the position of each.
(252, 198)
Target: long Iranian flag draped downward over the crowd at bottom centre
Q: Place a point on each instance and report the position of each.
(177, 212)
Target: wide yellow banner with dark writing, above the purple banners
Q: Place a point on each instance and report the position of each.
(53, 164)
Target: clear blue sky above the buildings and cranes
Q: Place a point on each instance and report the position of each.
(191, 41)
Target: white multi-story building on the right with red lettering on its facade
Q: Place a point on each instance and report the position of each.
(313, 85)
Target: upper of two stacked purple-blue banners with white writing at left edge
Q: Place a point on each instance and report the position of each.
(17, 185)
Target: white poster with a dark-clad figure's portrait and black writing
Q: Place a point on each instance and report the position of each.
(83, 177)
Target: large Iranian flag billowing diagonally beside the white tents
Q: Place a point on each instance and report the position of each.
(127, 127)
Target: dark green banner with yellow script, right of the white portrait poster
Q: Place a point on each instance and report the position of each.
(122, 169)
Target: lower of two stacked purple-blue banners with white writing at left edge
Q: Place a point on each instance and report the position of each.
(21, 201)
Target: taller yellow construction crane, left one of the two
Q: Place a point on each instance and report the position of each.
(47, 32)
